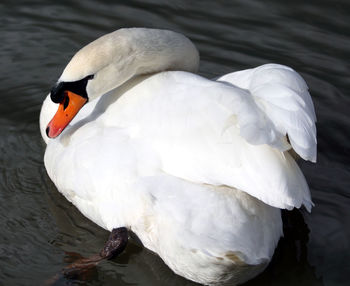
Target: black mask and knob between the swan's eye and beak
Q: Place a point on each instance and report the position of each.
(78, 87)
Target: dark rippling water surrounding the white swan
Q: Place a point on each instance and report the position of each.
(38, 227)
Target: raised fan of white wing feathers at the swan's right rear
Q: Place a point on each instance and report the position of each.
(283, 98)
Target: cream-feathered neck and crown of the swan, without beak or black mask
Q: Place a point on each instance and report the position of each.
(126, 53)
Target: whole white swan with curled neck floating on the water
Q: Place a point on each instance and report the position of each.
(198, 169)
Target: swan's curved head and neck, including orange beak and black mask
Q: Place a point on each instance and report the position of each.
(113, 59)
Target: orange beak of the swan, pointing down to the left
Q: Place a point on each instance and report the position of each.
(67, 109)
